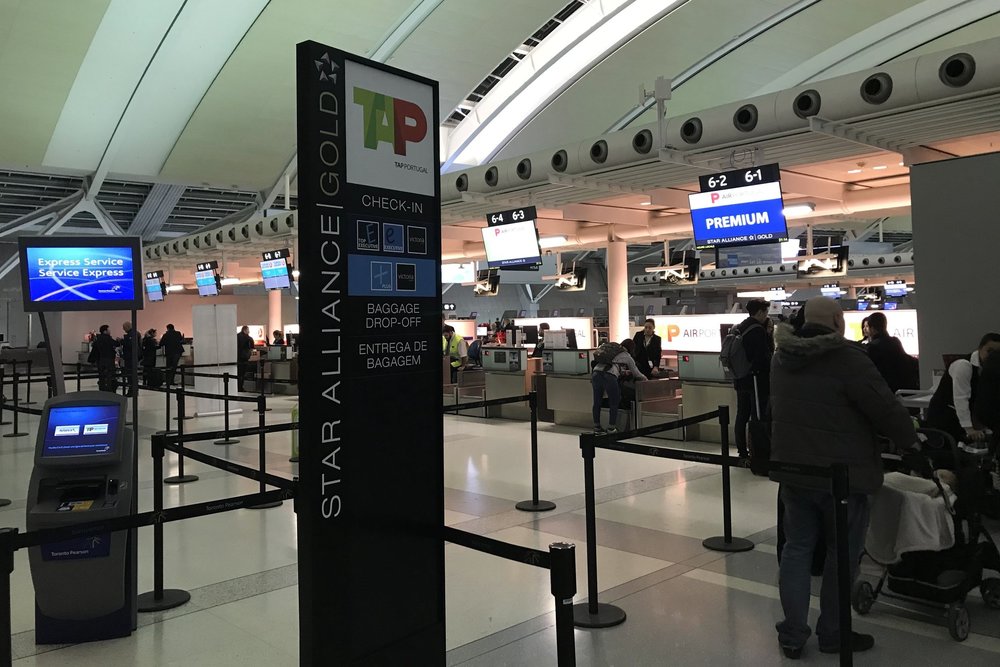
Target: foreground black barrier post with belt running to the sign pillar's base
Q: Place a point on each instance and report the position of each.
(559, 560)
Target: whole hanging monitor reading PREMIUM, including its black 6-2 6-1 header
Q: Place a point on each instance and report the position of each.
(741, 207)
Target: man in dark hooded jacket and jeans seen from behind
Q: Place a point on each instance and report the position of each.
(829, 404)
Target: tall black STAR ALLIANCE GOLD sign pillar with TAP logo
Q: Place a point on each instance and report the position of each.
(371, 503)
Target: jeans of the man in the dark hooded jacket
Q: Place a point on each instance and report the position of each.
(809, 514)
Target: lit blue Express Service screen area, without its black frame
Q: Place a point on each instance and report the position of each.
(80, 274)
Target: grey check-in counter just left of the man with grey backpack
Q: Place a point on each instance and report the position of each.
(704, 388)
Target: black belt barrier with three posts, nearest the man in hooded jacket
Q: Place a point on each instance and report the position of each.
(594, 614)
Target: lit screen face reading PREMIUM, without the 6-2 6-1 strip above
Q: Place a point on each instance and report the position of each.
(739, 216)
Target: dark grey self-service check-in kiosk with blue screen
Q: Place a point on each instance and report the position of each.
(85, 588)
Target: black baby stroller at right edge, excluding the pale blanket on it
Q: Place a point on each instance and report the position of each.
(941, 578)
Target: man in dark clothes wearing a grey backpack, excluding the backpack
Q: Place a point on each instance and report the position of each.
(755, 386)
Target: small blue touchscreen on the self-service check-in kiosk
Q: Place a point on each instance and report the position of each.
(81, 430)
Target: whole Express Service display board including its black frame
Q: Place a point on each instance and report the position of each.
(80, 273)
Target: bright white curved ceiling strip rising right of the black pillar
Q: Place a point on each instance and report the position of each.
(579, 44)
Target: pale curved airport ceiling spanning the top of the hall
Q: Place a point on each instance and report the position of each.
(188, 106)
